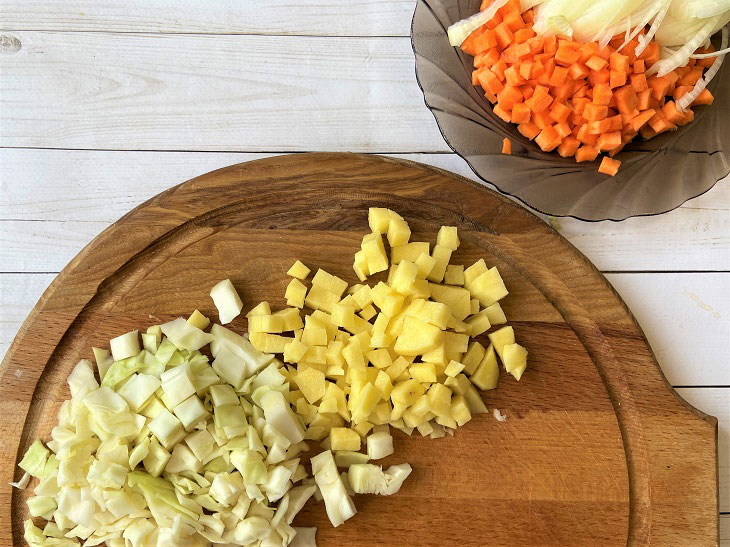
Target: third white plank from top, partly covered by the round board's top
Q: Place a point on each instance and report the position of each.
(100, 186)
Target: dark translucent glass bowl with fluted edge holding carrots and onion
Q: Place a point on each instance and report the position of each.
(656, 176)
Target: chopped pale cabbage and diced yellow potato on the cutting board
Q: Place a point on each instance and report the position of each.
(159, 446)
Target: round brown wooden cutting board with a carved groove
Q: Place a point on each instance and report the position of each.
(597, 448)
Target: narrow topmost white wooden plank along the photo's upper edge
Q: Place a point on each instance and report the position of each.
(309, 17)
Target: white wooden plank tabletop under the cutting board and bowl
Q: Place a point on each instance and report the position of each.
(103, 104)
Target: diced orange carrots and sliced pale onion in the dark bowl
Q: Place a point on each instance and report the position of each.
(586, 78)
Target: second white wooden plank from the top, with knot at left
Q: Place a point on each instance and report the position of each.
(198, 92)
